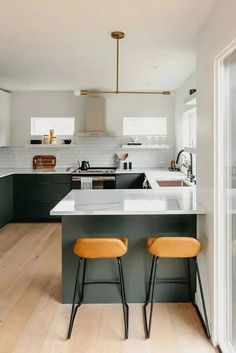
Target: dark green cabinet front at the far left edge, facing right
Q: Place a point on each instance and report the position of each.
(6, 200)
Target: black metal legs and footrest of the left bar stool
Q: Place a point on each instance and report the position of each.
(81, 294)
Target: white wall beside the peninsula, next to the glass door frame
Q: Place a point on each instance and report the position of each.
(218, 32)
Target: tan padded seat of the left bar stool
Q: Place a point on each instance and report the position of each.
(97, 248)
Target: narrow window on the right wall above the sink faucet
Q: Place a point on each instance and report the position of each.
(189, 128)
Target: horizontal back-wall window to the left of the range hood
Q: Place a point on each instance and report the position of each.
(61, 126)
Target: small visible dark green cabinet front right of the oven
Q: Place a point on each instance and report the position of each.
(129, 181)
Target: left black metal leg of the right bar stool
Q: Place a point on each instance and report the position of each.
(150, 297)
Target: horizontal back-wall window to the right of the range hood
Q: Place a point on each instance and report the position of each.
(150, 126)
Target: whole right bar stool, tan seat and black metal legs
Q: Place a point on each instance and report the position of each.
(173, 247)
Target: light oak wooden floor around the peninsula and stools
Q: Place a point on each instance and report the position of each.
(32, 320)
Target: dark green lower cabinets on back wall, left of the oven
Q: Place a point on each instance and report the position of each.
(36, 195)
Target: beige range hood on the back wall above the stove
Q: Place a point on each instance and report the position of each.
(95, 117)
